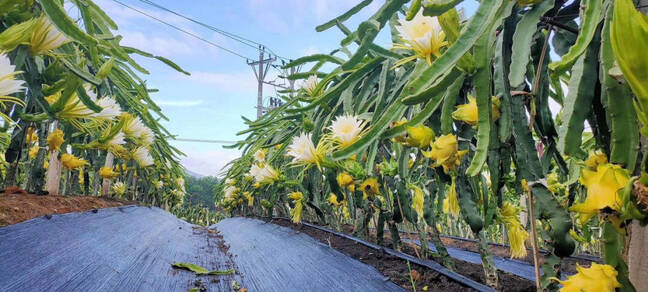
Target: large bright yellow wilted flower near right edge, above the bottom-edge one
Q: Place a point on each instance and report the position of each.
(602, 187)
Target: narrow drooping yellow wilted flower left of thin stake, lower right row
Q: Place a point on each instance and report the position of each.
(517, 236)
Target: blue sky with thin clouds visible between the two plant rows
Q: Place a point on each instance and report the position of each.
(222, 88)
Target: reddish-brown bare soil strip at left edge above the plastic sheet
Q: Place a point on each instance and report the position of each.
(16, 205)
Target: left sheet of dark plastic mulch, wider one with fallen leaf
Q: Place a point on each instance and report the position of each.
(114, 249)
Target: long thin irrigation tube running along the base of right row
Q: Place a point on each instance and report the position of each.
(426, 263)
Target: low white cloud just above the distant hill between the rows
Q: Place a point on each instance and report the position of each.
(208, 162)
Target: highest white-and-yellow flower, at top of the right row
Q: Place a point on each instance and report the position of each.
(423, 35)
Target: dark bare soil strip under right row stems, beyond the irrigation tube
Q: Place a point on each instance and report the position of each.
(397, 271)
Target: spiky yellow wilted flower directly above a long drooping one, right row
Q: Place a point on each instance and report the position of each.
(445, 152)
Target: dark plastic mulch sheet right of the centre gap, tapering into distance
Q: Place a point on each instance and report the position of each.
(268, 254)
